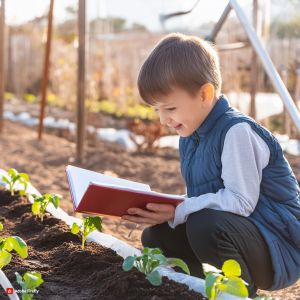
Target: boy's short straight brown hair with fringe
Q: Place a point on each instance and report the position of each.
(181, 61)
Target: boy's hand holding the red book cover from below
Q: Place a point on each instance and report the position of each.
(154, 214)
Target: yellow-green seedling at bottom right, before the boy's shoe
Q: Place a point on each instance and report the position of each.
(230, 282)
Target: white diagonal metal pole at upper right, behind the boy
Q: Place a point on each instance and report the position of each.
(267, 64)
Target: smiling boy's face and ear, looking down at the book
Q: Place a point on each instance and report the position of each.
(183, 112)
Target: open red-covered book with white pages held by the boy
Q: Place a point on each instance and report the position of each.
(96, 193)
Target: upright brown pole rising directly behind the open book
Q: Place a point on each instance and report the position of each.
(81, 82)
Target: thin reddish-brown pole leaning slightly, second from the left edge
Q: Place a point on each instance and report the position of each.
(46, 70)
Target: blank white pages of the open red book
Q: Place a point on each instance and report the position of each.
(80, 179)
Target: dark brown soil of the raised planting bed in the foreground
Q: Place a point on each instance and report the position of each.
(68, 271)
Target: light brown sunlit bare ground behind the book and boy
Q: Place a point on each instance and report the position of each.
(45, 162)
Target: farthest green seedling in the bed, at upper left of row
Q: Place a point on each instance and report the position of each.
(13, 179)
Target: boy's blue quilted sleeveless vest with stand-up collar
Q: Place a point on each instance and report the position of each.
(277, 214)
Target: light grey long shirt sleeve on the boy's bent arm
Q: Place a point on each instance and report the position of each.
(245, 154)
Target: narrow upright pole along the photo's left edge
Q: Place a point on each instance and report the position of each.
(2, 31)
